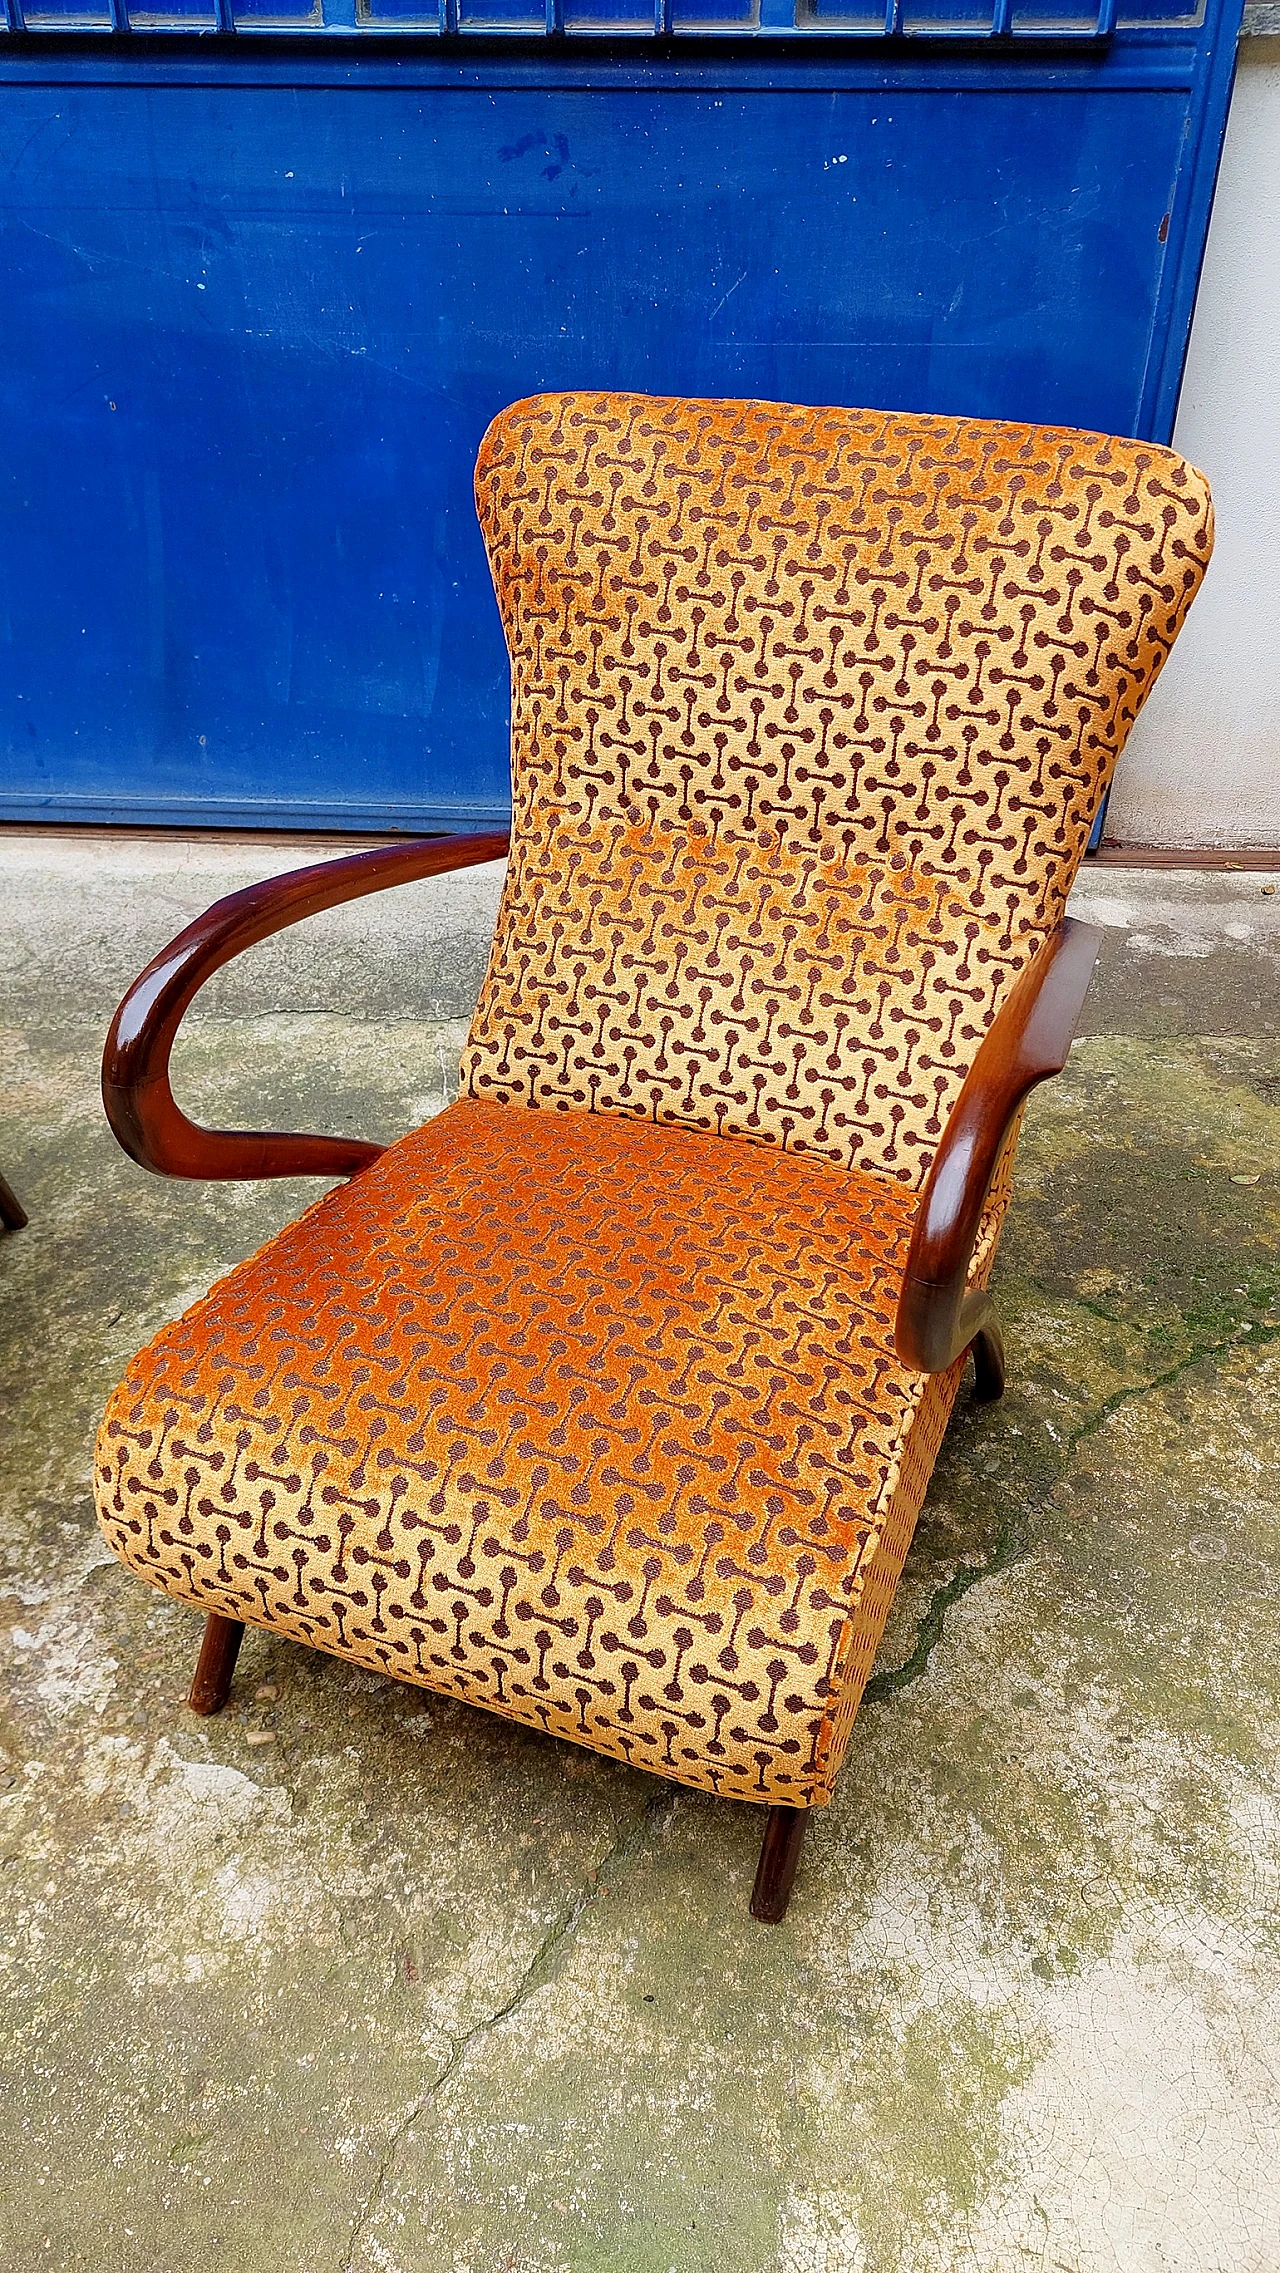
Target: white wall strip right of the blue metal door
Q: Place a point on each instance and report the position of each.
(1204, 763)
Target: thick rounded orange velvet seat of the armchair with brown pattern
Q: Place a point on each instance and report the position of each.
(583, 1419)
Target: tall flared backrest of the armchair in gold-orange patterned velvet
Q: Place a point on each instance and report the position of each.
(811, 719)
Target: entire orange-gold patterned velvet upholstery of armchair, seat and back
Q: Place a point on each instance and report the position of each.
(590, 1413)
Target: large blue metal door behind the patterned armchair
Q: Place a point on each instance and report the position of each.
(263, 297)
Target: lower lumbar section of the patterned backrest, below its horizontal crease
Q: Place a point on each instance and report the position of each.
(738, 988)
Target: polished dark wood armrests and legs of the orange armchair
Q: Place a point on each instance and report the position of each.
(938, 1315)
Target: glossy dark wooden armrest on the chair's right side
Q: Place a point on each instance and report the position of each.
(1027, 1042)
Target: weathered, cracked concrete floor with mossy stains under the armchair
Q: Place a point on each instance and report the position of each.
(358, 1981)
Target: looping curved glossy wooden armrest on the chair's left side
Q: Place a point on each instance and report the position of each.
(135, 1063)
